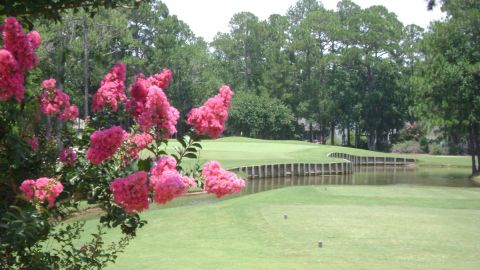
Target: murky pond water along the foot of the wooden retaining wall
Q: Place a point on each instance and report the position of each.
(452, 177)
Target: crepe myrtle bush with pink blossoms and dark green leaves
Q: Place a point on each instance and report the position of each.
(118, 168)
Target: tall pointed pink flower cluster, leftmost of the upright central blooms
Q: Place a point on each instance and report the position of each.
(112, 89)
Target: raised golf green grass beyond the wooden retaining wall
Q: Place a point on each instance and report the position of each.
(237, 151)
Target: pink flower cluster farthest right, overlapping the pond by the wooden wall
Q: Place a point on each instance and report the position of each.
(219, 181)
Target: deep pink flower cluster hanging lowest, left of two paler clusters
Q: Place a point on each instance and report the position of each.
(131, 192)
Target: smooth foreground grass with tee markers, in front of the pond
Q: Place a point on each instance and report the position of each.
(362, 227)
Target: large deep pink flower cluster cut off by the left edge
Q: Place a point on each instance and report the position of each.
(16, 57)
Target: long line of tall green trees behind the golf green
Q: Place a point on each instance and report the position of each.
(306, 74)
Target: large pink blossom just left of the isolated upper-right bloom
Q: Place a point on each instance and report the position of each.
(158, 113)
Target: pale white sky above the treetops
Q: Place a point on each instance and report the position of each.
(207, 17)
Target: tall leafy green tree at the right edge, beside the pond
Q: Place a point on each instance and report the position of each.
(448, 82)
